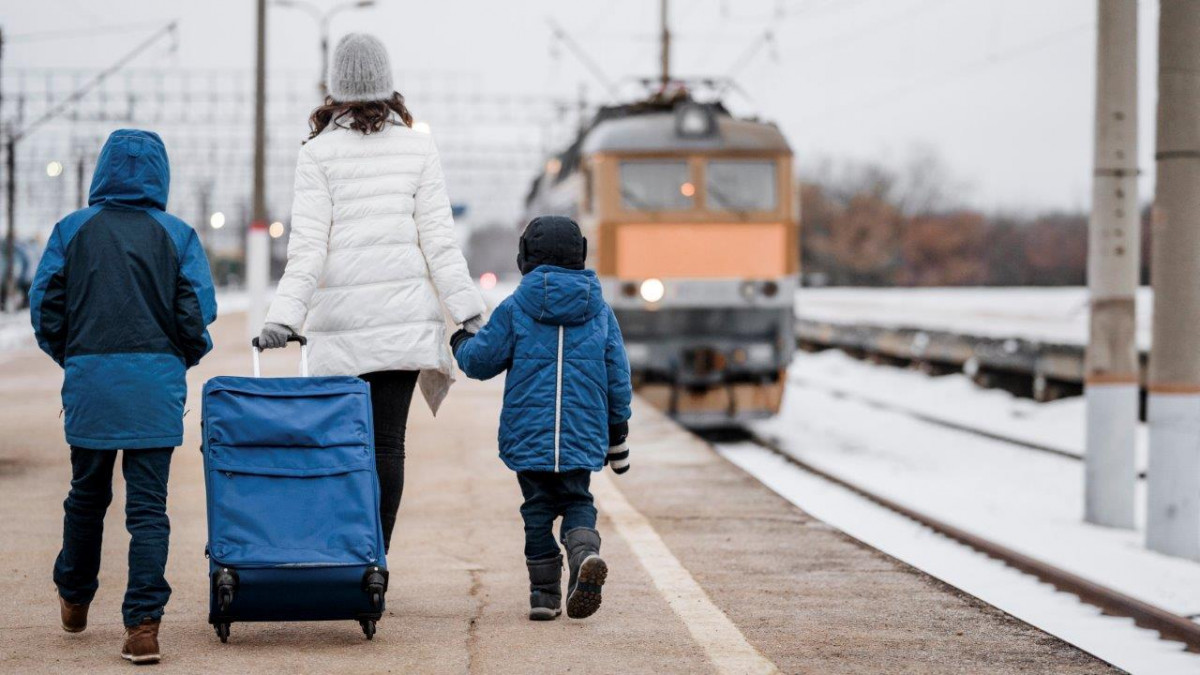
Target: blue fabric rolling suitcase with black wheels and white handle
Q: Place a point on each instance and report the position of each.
(293, 500)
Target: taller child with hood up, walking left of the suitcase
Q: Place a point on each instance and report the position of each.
(123, 301)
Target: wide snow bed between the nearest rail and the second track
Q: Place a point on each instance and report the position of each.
(1028, 500)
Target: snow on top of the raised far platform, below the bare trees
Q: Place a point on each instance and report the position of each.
(1051, 315)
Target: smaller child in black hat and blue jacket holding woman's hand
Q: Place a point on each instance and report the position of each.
(566, 413)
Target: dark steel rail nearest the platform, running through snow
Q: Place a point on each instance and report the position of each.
(1171, 626)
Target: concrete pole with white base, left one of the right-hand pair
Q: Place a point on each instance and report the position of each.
(1113, 260)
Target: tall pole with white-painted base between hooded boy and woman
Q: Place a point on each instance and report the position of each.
(256, 240)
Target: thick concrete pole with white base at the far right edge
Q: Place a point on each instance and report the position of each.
(1173, 483)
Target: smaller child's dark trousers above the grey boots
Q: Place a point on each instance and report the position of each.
(551, 495)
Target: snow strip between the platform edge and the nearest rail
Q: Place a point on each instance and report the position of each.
(1114, 640)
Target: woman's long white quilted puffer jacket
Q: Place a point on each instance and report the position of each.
(373, 250)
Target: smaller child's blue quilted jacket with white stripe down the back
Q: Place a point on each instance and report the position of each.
(568, 377)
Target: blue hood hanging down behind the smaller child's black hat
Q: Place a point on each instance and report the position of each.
(560, 297)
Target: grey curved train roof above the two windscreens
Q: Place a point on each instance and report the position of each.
(658, 133)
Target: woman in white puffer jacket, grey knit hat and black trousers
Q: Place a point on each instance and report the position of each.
(373, 252)
